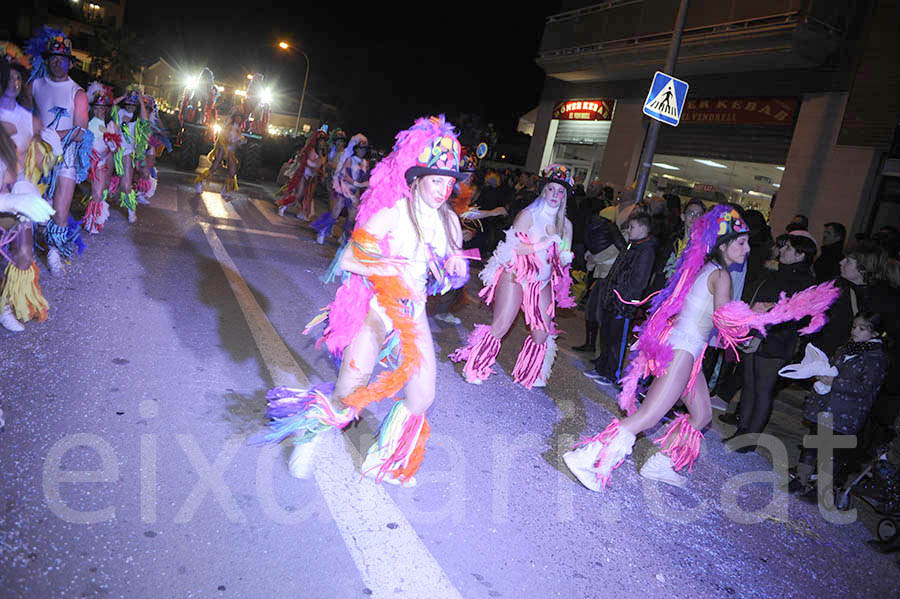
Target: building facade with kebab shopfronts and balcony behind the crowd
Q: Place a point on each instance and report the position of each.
(786, 113)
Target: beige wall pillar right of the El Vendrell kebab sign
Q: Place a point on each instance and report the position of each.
(822, 180)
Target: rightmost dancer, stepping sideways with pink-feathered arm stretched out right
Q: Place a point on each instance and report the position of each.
(671, 346)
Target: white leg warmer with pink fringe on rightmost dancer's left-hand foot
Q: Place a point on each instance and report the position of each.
(593, 460)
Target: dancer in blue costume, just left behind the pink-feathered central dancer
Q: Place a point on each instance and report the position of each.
(351, 175)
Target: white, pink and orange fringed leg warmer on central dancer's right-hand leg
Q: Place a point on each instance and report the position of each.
(397, 454)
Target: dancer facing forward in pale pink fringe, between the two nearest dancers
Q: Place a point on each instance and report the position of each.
(528, 270)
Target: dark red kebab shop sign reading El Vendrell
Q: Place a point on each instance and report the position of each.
(741, 111)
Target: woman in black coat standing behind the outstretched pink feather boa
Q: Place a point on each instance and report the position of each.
(761, 368)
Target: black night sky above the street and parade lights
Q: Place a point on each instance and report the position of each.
(383, 65)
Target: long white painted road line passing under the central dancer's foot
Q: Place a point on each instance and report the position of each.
(392, 561)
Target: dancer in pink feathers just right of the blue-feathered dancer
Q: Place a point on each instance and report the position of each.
(107, 140)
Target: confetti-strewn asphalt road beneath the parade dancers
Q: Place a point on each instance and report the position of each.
(125, 471)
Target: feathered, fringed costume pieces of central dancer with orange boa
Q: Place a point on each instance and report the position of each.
(305, 413)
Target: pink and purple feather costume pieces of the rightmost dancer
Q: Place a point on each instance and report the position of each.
(592, 460)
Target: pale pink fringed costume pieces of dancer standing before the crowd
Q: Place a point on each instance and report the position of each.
(535, 360)
